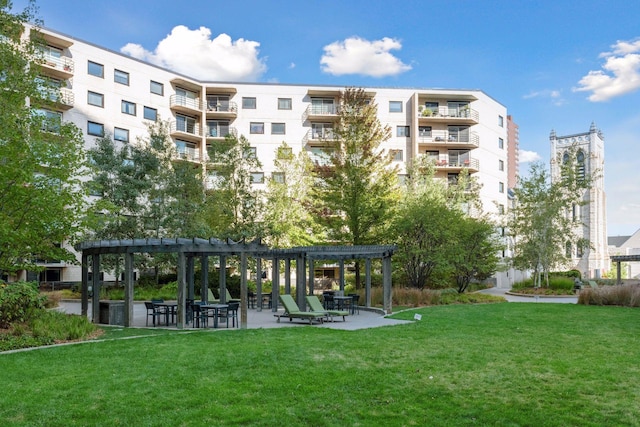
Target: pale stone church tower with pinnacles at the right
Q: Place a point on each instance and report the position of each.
(588, 148)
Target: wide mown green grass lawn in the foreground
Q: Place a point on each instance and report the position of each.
(504, 364)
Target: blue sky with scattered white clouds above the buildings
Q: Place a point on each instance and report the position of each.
(554, 64)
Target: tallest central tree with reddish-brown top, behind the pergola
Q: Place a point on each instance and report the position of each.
(357, 189)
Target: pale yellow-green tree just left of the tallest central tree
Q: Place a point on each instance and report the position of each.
(288, 221)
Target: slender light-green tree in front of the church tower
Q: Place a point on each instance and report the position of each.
(540, 222)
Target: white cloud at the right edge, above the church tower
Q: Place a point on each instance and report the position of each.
(620, 74)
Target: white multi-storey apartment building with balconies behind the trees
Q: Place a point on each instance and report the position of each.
(108, 92)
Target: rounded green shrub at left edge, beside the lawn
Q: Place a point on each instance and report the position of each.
(18, 301)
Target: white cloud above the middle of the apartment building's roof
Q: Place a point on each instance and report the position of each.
(359, 56)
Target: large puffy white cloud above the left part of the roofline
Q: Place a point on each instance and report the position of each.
(194, 53)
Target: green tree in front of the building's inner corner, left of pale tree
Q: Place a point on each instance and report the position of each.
(233, 207)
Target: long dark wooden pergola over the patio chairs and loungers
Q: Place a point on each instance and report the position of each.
(190, 249)
